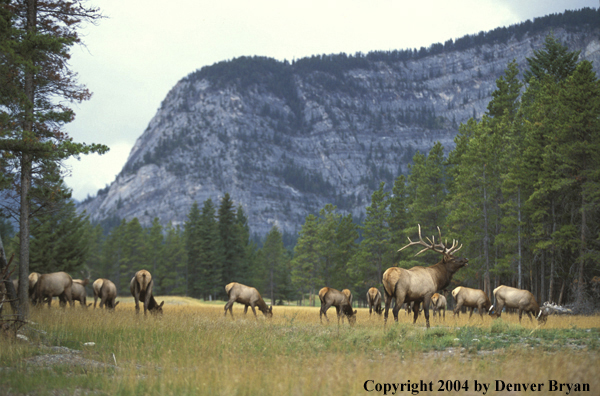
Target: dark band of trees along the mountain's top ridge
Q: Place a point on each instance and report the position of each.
(277, 76)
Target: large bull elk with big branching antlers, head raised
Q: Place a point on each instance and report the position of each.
(418, 284)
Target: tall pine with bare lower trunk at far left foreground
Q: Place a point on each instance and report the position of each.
(36, 86)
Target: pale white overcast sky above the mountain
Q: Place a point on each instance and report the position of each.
(132, 59)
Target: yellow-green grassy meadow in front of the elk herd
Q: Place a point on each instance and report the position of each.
(193, 350)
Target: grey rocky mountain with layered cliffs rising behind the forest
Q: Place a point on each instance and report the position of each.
(284, 139)
